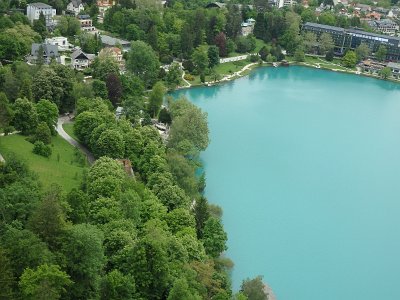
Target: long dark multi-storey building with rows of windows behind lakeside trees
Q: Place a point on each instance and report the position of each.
(352, 38)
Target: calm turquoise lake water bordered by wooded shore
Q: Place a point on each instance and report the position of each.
(306, 166)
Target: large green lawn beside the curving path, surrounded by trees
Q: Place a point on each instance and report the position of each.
(61, 167)
